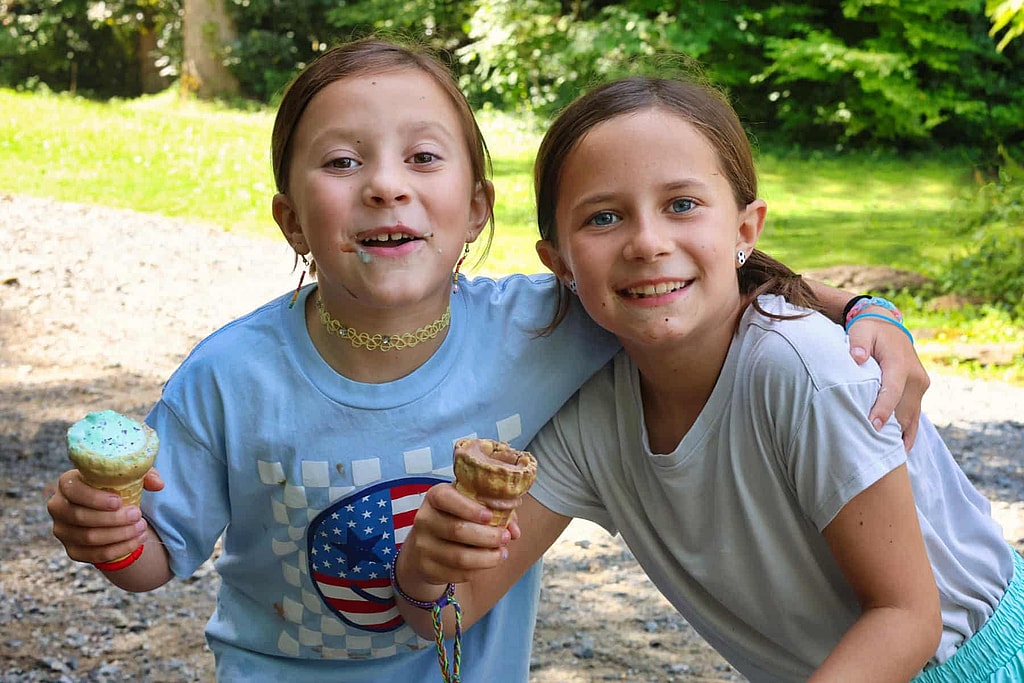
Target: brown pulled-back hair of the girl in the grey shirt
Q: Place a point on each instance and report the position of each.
(705, 108)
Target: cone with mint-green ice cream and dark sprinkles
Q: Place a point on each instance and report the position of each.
(113, 453)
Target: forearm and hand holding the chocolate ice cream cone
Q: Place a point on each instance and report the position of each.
(452, 542)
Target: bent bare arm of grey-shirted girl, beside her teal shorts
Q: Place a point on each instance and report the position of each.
(876, 540)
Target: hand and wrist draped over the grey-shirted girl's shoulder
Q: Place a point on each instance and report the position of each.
(904, 377)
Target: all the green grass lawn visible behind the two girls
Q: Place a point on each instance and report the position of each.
(209, 163)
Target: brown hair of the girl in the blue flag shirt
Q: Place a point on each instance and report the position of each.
(362, 58)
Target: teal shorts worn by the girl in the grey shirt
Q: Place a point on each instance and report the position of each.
(996, 654)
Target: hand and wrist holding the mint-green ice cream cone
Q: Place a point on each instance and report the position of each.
(95, 527)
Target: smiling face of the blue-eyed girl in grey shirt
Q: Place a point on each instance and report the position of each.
(649, 227)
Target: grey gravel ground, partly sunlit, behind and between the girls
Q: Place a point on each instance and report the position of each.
(99, 306)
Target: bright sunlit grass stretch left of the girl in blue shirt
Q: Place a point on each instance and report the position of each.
(155, 155)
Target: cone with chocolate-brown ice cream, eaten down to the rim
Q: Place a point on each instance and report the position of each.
(493, 474)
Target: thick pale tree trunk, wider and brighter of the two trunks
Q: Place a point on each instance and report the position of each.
(207, 31)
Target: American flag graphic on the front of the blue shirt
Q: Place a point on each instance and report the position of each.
(353, 544)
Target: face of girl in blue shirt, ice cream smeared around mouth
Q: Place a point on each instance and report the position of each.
(381, 191)
